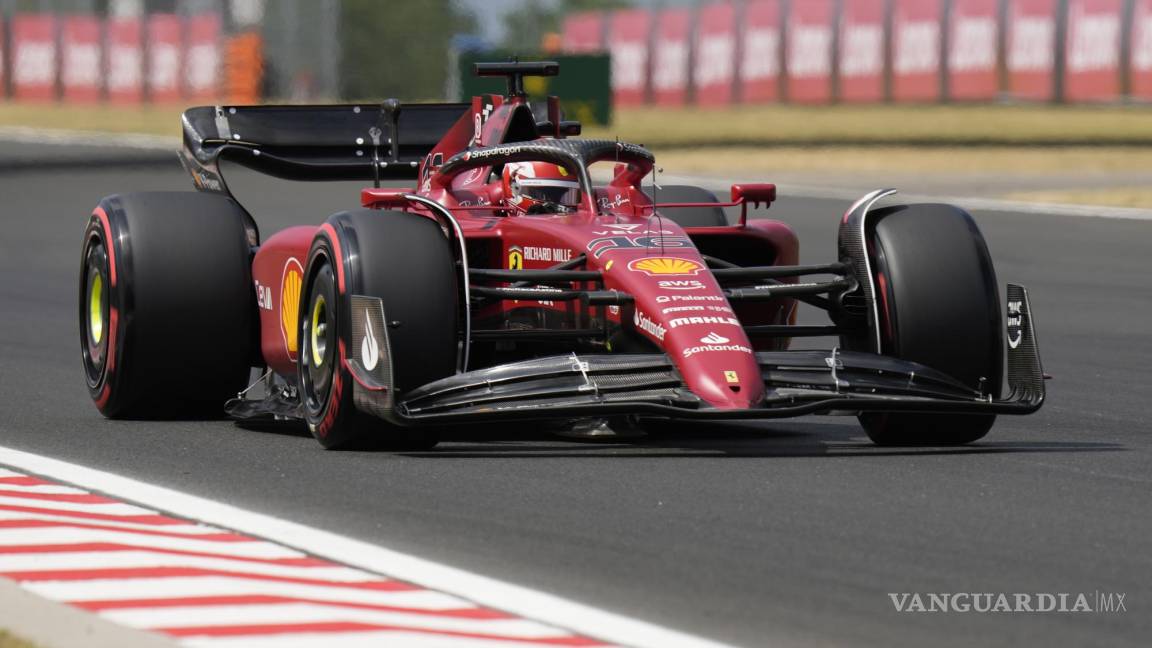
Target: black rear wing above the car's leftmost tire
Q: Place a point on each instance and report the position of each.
(332, 142)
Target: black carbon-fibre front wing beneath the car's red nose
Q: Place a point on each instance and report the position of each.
(800, 382)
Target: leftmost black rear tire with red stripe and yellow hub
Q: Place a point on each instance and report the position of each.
(168, 313)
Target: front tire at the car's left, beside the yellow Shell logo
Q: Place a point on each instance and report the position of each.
(407, 262)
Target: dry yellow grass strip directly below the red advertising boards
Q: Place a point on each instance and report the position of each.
(742, 126)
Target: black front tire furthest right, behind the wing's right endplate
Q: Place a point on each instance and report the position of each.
(939, 306)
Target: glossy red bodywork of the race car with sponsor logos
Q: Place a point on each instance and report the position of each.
(679, 306)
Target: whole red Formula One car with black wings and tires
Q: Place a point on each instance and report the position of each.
(529, 275)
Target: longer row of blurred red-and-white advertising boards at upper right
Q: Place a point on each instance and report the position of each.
(718, 52)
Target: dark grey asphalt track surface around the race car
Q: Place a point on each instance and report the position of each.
(782, 533)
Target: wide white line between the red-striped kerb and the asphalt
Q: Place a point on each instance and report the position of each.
(522, 601)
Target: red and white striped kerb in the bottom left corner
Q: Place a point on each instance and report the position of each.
(207, 586)
